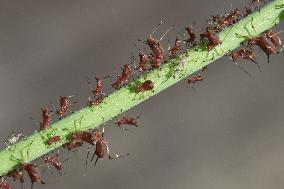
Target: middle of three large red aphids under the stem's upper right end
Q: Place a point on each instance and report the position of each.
(263, 42)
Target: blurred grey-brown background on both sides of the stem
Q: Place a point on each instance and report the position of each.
(227, 132)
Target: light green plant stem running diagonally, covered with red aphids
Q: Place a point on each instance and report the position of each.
(121, 100)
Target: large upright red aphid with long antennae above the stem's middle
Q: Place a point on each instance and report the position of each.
(157, 52)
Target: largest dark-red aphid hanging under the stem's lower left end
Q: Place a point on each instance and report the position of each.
(33, 172)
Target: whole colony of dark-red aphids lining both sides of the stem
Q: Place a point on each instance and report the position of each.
(269, 43)
